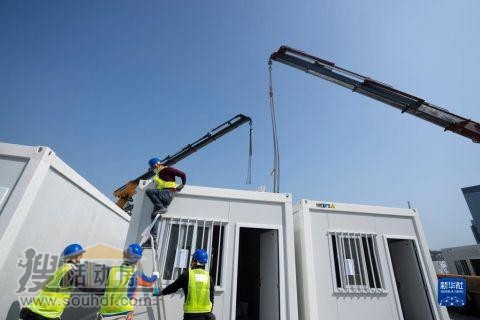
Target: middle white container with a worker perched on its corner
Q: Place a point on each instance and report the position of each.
(249, 238)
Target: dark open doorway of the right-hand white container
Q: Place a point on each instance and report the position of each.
(410, 283)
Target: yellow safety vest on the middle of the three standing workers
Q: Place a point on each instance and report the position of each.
(115, 300)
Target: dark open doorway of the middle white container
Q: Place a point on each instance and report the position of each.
(257, 279)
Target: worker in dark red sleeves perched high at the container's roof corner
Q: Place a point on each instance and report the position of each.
(165, 189)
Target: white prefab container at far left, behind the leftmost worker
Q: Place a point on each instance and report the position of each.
(45, 205)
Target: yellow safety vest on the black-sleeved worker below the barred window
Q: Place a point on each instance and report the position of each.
(198, 297)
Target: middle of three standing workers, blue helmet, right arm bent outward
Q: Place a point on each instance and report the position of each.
(122, 283)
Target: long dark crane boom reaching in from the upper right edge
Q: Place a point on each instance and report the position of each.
(379, 91)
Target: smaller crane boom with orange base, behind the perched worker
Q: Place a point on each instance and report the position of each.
(125, 193)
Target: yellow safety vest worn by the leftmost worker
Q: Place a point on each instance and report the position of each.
(53, 298)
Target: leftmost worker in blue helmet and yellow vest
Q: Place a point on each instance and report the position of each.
(53, 298)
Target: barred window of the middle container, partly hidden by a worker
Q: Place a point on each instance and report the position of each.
(180, 237)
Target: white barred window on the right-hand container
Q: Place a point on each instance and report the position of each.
(344, 286)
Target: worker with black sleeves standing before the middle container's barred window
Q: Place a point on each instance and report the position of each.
(198, 287)
